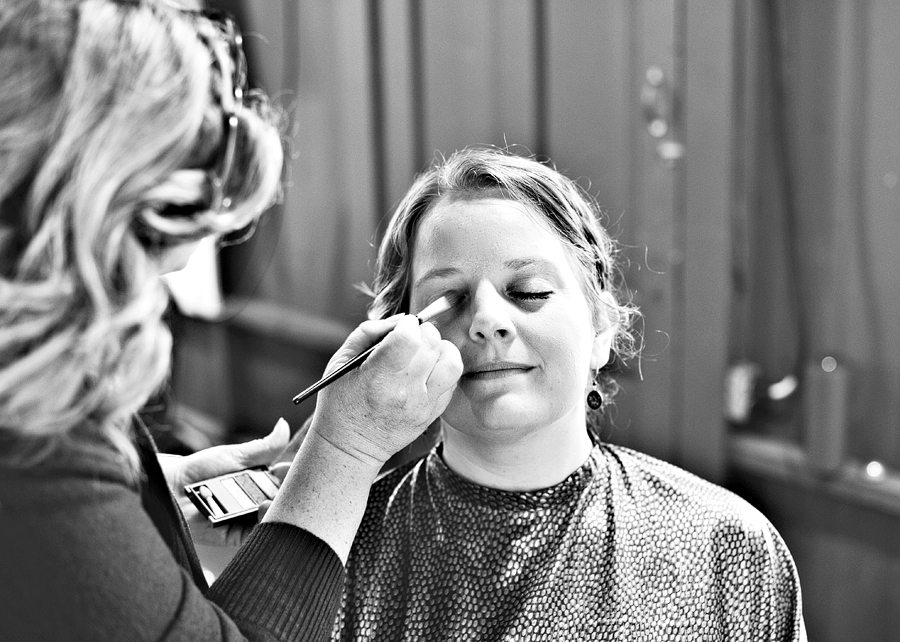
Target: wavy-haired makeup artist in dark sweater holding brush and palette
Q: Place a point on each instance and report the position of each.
(125, 137)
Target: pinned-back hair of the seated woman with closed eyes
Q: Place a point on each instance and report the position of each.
(568, 209)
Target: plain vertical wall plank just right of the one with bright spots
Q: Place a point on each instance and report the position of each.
(704, 250)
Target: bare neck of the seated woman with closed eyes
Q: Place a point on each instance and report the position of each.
(539, 459)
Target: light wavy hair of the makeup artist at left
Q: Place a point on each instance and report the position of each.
(111, 120)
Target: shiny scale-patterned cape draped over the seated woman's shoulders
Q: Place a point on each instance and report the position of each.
(626, 548)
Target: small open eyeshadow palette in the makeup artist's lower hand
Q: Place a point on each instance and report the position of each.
(234, 495)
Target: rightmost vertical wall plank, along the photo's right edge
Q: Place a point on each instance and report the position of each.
(876, 341)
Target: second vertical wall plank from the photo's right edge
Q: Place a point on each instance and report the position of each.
(849, 324)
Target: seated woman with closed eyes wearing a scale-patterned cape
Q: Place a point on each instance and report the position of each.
(520, 524)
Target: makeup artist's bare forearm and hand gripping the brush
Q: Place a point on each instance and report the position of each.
(363, 419)
